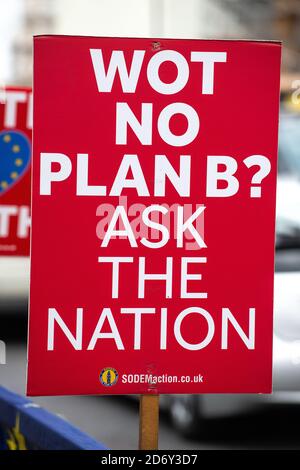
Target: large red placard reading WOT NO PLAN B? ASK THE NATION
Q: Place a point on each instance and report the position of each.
(154, 174)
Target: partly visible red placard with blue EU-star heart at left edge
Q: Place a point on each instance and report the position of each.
(15, 159)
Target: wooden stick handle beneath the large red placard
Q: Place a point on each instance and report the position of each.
(149, 420)
